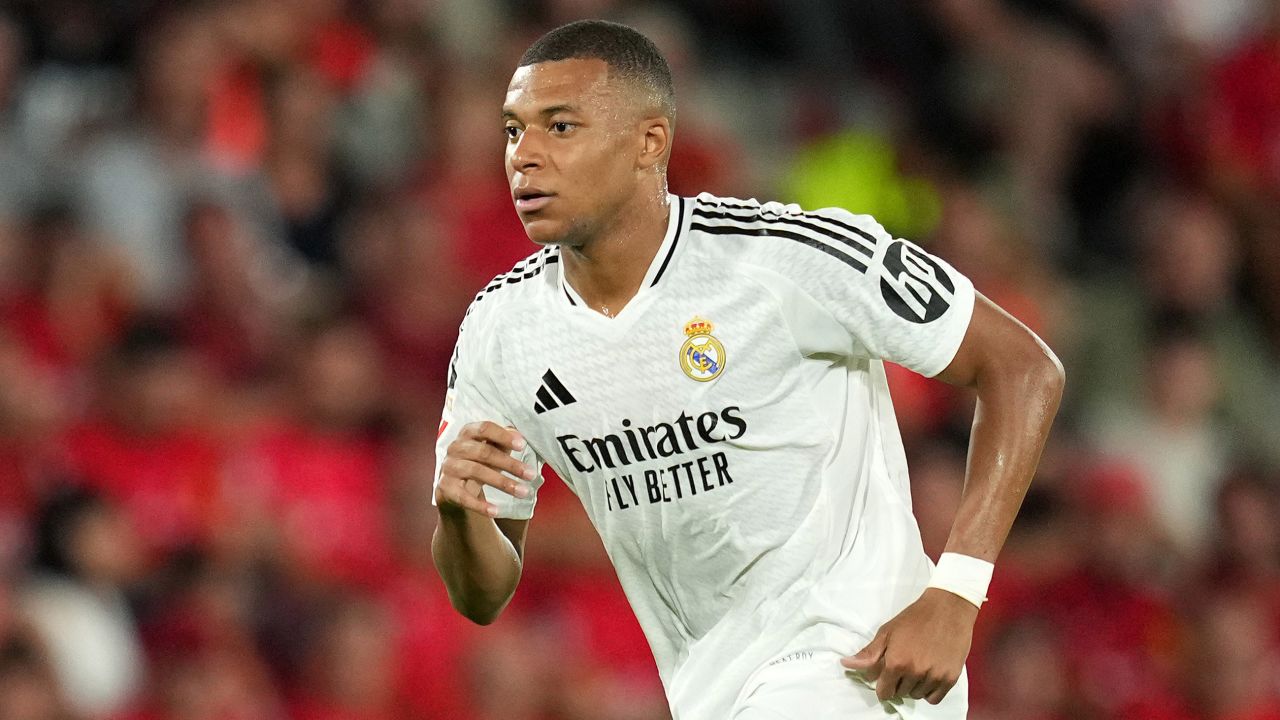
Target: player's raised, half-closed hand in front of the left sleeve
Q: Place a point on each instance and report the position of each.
(478, 458)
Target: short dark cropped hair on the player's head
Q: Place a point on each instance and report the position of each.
(629, 54)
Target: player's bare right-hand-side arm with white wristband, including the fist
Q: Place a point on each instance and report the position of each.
(1020, 382)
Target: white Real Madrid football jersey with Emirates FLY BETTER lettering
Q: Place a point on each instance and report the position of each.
(730, 432)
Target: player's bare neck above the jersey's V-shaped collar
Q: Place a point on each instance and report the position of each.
(607, 271)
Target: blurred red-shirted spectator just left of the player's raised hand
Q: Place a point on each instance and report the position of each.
(319, 467)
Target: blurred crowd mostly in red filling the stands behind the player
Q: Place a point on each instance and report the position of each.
(237, 239)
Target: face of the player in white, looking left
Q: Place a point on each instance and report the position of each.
(573, 143)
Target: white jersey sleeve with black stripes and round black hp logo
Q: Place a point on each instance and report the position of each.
(897, 302)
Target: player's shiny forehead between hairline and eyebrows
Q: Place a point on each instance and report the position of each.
(582, 83)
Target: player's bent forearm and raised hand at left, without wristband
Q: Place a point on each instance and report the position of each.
(479, 558)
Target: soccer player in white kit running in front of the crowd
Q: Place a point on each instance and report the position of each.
(707, 376)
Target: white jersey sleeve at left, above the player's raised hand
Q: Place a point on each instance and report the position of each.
(473, 397)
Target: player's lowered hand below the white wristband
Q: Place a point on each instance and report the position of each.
(920, 653)
